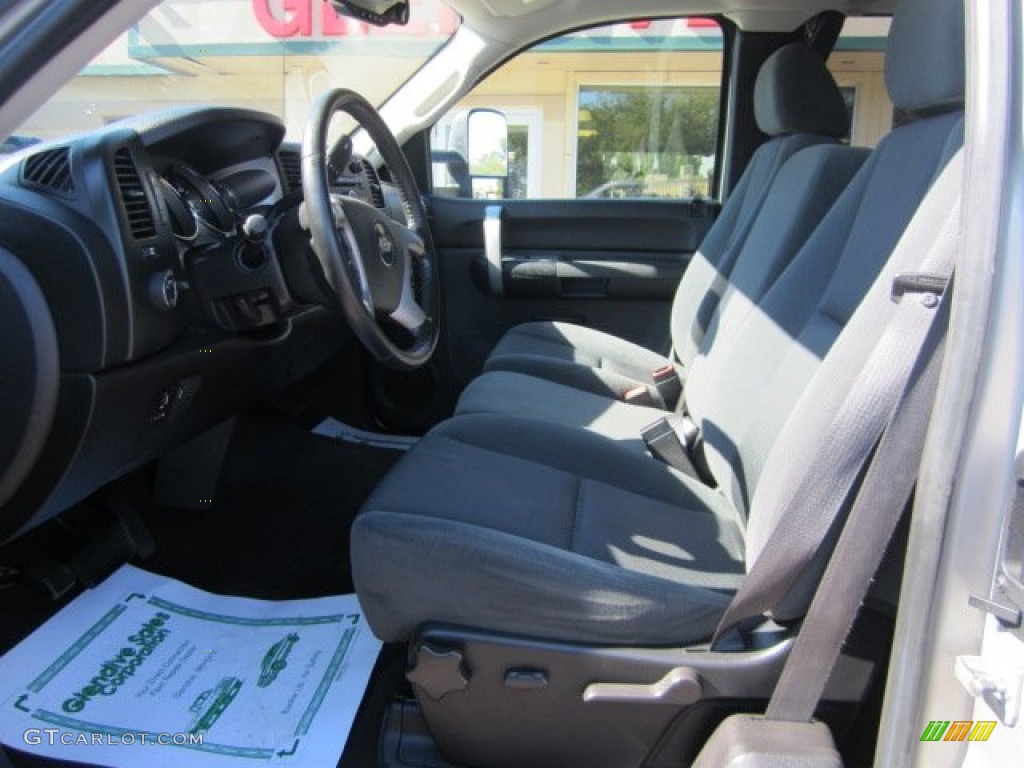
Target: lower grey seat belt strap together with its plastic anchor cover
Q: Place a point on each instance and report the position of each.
(787, 735)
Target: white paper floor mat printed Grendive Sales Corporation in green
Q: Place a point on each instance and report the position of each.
(145, 670)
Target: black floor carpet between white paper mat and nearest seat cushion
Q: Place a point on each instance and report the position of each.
(279, 524)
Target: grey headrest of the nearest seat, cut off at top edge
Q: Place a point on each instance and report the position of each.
(925, 60)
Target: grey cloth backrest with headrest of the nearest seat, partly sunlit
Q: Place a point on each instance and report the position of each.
(742, 394)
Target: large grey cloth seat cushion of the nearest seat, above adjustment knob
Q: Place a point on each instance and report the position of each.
(546, 532)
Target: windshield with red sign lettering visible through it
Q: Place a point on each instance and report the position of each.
(274, 56)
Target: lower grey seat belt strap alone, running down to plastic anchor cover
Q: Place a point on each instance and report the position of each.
(883, 497)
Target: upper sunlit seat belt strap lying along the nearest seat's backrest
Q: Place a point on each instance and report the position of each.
(873, 390)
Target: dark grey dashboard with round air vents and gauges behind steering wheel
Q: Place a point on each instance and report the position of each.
(159, 272)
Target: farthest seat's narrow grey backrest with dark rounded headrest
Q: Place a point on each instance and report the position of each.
(798, 104)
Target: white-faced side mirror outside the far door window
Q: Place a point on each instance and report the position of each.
(477, 155)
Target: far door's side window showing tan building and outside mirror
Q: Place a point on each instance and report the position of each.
(623, 111)
